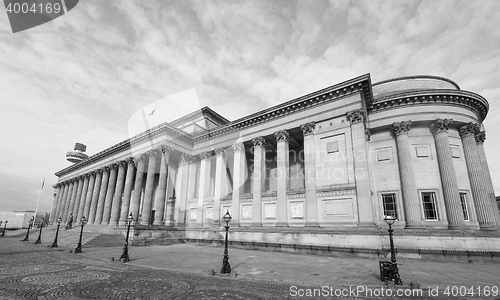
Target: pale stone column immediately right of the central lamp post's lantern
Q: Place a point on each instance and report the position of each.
(239, 168)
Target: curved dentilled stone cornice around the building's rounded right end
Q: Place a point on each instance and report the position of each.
(464, 98)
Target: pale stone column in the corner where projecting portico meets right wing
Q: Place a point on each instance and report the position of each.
(181, 188)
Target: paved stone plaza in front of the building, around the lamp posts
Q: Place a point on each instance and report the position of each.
(184, 271)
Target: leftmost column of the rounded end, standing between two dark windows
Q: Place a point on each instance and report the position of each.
(411, 201)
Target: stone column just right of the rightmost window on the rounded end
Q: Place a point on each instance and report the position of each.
(478, 185)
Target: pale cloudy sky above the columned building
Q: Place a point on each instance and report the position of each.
(80, 77)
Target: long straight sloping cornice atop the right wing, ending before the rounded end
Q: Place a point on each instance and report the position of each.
(361, 84)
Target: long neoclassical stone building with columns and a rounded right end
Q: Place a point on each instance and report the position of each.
(322, 169)
